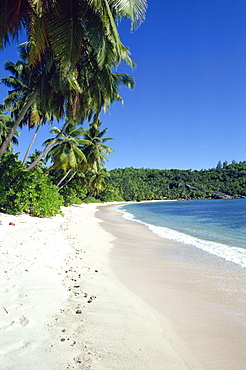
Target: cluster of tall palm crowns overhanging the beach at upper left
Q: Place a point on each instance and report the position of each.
(68, 61)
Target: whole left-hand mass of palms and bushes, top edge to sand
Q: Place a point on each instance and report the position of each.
(66, 72)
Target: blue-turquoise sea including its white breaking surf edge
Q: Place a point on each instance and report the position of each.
(215, 226)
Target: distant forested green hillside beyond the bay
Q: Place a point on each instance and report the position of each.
(130, 184)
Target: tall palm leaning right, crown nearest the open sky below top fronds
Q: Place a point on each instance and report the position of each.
(99, 88)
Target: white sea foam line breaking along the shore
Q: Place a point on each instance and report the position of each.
(232, 254)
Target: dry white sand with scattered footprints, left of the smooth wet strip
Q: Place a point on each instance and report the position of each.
(66, 302)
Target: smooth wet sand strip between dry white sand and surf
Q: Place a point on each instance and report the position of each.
(200, 296)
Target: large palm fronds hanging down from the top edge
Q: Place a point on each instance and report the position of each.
(67, 27)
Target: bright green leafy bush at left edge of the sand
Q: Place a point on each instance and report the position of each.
(26, 192)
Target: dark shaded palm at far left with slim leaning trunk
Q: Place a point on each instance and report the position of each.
(32, 91)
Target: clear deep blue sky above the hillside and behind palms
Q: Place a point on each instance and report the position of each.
(188, 109)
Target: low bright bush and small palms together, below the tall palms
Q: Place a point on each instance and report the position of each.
(75, 173)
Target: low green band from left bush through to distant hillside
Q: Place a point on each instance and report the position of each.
(42, 191)
